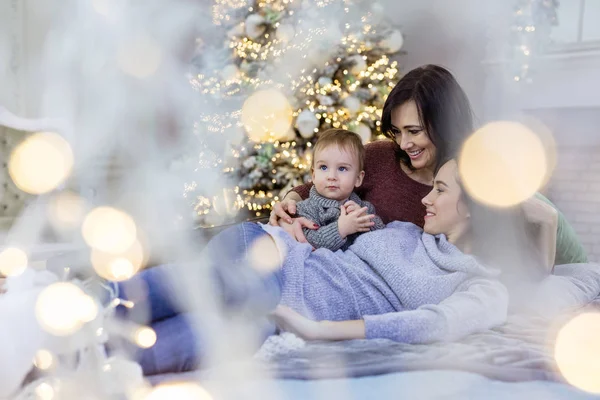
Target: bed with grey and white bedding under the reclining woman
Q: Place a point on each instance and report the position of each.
(514, 360)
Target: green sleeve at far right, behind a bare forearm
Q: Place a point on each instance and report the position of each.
(569, 249)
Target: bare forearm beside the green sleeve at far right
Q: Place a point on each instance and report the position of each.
(544, 219)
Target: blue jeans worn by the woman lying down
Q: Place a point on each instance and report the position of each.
(176, 348)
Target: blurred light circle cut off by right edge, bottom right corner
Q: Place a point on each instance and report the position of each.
(577, 352)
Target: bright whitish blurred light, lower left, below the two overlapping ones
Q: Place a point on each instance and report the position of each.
(62, 308)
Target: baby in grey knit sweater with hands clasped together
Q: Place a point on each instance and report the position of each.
(332, 204)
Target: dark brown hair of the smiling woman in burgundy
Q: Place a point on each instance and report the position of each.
(444, 109)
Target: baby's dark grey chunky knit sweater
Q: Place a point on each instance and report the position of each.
(325, 213)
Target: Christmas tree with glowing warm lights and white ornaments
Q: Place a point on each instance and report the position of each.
(282, 72)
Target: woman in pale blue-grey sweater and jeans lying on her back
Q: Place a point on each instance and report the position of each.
(400, 283)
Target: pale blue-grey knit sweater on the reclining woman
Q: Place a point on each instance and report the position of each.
(405, 284)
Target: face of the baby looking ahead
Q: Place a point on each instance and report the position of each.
(336, 173)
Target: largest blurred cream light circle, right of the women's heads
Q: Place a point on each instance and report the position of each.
(503, 164)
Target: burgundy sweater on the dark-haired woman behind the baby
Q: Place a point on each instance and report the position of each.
(396, 197)
